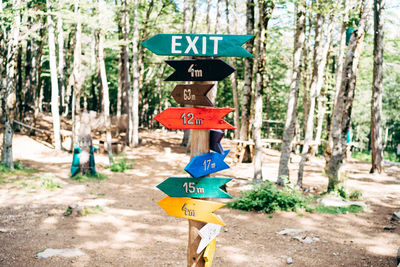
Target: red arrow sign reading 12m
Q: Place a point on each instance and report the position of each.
(194, 118)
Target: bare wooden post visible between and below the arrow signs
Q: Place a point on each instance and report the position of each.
(200, 144)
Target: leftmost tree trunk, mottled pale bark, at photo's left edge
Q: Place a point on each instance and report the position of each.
(8, 92)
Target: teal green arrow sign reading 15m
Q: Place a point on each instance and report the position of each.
(194, 187)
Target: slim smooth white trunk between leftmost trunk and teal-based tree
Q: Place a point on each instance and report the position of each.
(54, 82)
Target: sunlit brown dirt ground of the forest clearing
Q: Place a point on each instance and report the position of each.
(130, 229)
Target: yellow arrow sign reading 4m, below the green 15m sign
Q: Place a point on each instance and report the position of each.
(193, 209)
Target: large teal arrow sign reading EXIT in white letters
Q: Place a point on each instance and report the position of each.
(210, 45)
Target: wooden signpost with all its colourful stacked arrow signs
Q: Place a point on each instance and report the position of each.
(202, 236)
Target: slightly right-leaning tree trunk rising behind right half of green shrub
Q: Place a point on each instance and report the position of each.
(291, 113)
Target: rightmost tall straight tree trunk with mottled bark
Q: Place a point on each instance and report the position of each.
(377, 88)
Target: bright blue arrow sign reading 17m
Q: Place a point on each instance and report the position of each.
(205, 164)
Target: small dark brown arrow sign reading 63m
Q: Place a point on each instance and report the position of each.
(192, 94)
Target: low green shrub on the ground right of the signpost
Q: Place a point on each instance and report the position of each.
(266, 197)
